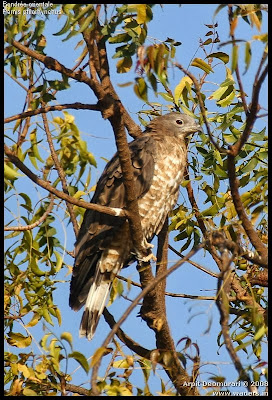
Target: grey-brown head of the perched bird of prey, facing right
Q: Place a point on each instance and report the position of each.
(174, 124)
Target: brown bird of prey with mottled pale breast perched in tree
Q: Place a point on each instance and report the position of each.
(104, 245)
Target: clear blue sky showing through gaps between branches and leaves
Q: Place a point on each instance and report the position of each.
(186, 317)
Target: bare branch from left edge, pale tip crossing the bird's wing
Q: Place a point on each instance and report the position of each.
(116, 212)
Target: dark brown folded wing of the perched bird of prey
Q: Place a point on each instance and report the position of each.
(98, 229)
